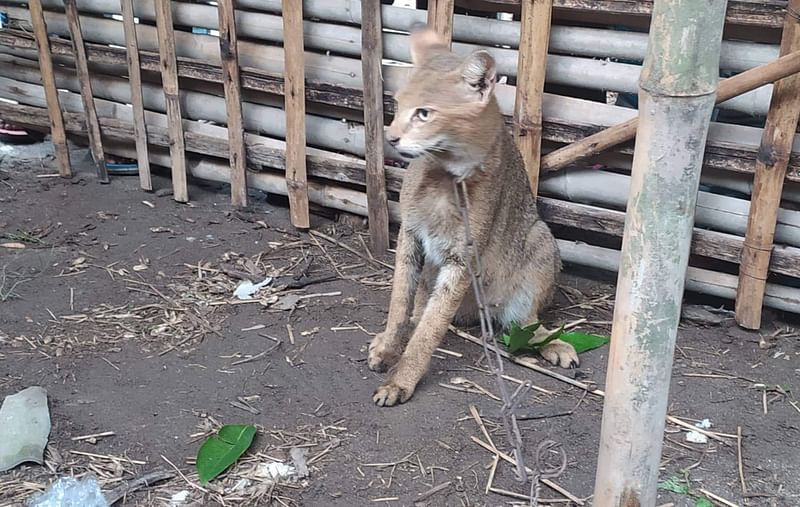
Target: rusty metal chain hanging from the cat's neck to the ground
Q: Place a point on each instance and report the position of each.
(495, 363)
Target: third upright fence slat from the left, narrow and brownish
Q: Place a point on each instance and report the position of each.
(135, 78)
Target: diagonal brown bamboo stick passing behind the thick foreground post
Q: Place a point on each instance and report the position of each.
(732, 87)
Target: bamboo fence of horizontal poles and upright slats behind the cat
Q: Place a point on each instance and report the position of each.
(305, 87)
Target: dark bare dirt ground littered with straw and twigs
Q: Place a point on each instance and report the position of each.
(121, 306)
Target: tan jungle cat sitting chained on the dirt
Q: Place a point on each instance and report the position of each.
(449, 124)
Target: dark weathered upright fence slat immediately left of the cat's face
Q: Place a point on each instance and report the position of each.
(372, 44)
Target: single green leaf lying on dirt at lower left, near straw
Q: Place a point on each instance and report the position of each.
(223, 449)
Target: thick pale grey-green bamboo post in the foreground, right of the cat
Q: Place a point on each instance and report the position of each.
(676, 97)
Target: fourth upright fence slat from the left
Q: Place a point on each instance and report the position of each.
(169, 82)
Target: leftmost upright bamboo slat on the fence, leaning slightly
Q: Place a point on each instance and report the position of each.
(57, 132)
